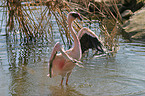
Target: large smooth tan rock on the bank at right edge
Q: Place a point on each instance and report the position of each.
(135, 26)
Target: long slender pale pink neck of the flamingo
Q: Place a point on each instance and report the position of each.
(77, 46)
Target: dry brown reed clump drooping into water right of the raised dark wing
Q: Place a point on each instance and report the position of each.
(110, 35)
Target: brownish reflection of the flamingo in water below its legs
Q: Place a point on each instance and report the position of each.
(64, 91)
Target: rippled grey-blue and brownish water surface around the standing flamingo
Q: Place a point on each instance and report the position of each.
(24, 69)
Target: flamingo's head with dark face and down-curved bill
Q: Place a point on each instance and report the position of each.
(74, 15)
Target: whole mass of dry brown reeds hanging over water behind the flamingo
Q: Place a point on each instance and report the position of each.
(34, 21)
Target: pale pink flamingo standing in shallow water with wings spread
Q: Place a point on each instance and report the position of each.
(63, 63)
